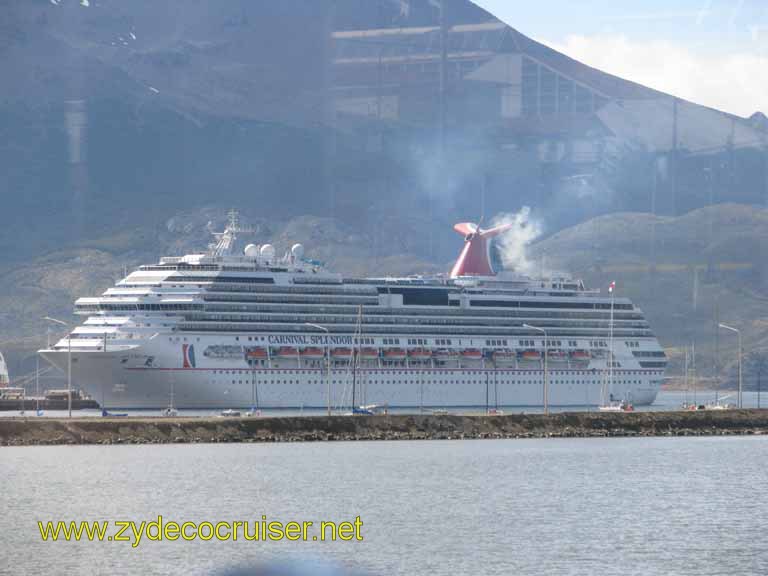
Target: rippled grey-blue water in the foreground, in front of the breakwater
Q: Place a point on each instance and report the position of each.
(640, 506)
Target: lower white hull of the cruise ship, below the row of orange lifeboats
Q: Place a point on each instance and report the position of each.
(117, 383)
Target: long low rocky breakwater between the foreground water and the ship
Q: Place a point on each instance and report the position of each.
(57, 431)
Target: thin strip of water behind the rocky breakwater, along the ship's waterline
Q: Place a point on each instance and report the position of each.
(666, 400)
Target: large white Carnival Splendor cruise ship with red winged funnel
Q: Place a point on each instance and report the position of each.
(231, 328)
